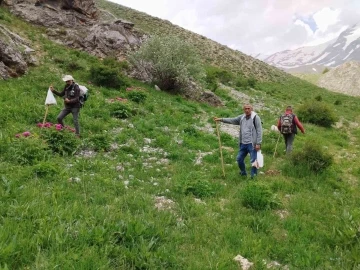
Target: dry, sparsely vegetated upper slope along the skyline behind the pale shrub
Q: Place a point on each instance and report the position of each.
(212, 52)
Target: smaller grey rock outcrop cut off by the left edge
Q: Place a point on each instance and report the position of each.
(15, 54)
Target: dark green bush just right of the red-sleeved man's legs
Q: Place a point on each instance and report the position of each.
(312, 157)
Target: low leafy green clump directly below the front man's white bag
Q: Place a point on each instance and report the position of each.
(258, 197)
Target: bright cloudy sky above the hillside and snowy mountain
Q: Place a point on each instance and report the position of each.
(257, 26)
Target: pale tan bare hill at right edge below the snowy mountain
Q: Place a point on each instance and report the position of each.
(343, 79)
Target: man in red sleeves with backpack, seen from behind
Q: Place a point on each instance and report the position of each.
(287, 125)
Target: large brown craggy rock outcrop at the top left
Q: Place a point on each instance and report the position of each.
(76, 24)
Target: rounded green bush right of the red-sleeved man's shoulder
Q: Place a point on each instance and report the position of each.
(317, 113)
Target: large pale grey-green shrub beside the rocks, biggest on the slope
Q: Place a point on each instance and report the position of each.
(168, 61)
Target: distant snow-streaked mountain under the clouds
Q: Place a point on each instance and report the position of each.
(346, 47)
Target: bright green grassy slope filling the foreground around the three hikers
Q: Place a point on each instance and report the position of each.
(143, 187)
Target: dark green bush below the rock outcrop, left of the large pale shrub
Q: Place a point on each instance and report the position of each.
(107, 76)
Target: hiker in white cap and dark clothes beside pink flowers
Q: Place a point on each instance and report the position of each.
(71, 94)
